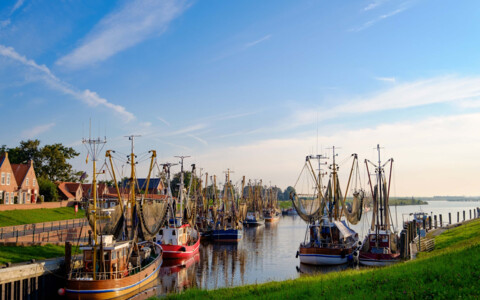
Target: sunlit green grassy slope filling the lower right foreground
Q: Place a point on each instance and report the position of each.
(451, 271)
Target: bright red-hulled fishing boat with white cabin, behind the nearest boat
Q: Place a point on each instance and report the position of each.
(179, 239)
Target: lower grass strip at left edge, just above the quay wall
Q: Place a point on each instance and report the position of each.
(15, 254)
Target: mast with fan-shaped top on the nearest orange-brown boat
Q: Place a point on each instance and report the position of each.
(94, 147)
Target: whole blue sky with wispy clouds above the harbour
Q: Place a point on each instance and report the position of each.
(252, 86)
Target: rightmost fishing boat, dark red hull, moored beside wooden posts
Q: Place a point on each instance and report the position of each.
(380, 245)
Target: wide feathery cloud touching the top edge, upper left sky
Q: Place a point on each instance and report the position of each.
(133, 23)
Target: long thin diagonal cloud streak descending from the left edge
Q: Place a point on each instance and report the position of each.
(89, 97)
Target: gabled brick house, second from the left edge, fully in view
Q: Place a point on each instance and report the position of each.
(27, 191)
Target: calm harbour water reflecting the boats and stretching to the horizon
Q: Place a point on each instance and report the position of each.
(267, 253)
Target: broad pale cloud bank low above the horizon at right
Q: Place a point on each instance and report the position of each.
(435, 156)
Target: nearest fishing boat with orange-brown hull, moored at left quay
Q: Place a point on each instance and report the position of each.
(120, 259)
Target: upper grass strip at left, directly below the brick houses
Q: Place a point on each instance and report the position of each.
(28, 216)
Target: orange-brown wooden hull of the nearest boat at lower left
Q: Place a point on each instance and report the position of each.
(114, 288)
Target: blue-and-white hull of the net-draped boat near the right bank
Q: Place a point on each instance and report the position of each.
(324, 256)
